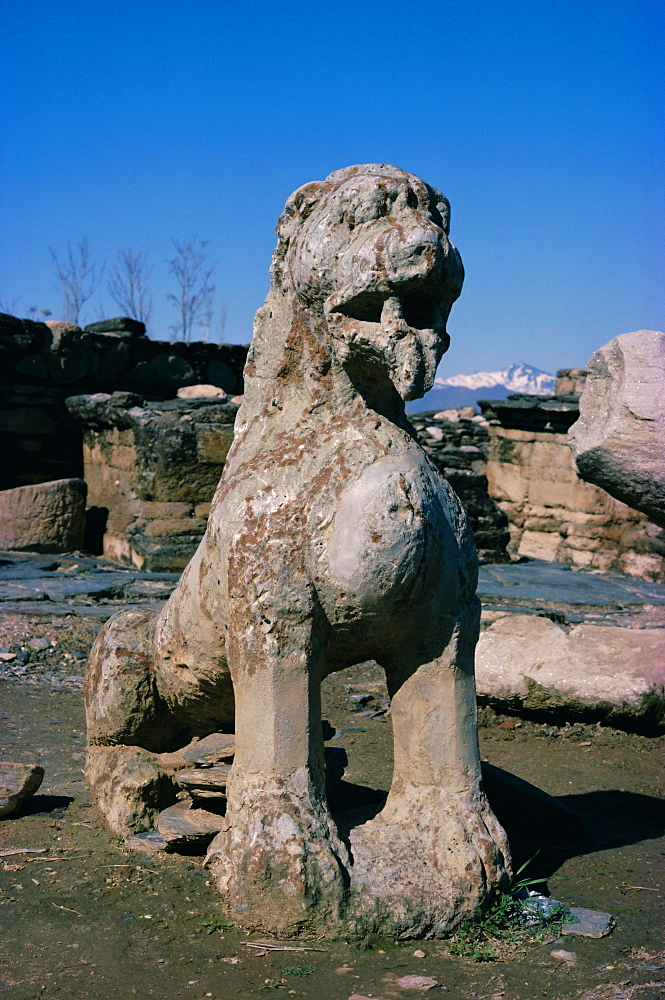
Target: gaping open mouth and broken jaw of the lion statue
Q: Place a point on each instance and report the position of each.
(405, 335)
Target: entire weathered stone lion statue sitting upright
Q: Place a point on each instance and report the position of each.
(331, 540)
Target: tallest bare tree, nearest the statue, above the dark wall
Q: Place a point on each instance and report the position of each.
(193, 300)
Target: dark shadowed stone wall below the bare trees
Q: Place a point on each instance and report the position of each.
(43, 363)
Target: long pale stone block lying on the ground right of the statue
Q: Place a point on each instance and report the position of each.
(524, 660)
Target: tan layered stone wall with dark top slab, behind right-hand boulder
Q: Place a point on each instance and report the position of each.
(554, 514)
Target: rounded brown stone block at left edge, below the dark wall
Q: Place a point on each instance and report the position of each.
(47, 517)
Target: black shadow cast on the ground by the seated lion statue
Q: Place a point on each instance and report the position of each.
(542, 829)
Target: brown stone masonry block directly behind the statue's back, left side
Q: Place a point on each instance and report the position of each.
(151, 469)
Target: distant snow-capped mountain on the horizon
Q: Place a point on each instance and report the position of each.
(465, 390)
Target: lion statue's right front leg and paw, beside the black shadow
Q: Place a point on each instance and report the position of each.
(436, 851)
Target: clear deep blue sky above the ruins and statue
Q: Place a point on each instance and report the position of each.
(133, 123)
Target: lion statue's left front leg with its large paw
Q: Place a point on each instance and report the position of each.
(280, 858)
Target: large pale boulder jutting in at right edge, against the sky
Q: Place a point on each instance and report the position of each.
(619, 439)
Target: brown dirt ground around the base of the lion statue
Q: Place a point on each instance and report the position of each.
(87, 917)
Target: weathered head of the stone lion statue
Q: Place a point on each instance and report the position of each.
(364, 259)
